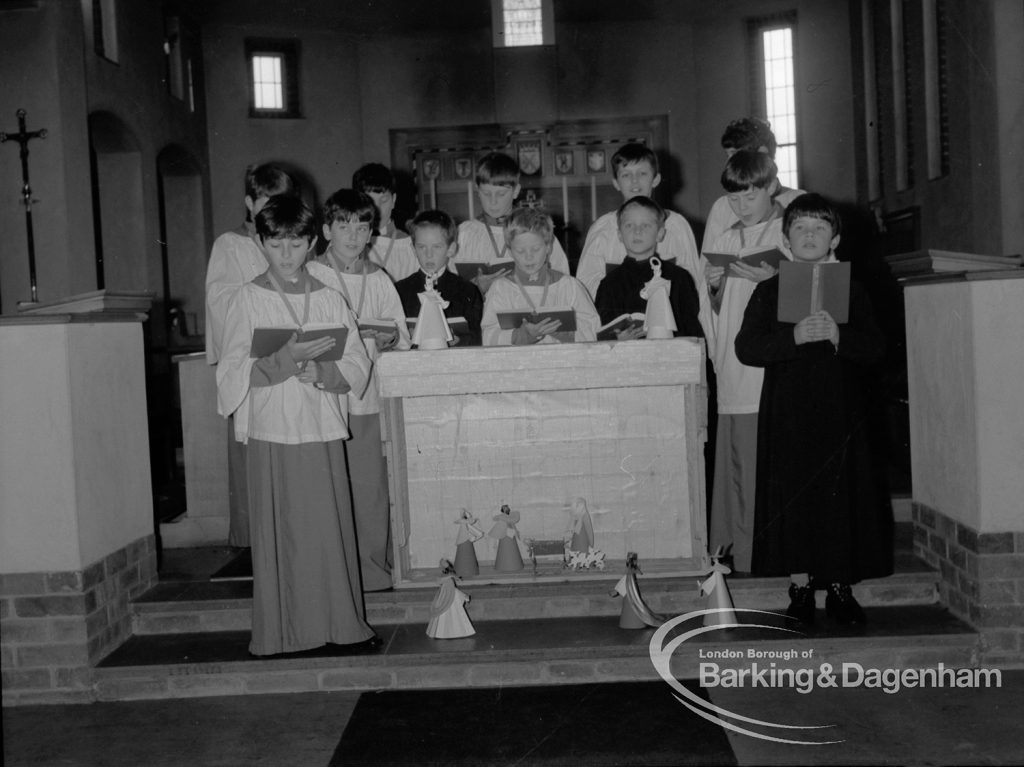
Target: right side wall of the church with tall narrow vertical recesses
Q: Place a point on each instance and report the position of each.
(975, 205)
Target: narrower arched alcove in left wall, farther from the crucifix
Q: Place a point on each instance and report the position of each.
(184, 249)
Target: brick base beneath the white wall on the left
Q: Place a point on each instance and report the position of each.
(56, 627)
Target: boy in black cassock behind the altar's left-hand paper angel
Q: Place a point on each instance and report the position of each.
(435, 240)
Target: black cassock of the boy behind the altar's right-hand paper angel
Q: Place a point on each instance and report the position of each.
(619, 294)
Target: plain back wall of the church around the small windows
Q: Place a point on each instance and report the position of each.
(697, 72)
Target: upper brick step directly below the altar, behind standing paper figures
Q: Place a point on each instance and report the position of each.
(202, 607)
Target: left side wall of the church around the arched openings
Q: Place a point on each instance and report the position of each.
(52, 70)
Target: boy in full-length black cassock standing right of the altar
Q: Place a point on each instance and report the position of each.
(822, 517)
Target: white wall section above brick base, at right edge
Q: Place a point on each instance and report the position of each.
(966, 369)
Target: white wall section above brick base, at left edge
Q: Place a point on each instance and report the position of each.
(74, 446)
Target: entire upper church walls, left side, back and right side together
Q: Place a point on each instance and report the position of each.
(358, 87)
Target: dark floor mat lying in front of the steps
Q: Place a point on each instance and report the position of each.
(635, 723)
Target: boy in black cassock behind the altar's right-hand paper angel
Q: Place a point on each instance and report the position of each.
(642, 228)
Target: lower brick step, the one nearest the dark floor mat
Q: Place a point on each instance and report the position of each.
(564, 651)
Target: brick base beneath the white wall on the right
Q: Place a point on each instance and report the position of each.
(983, 579)
